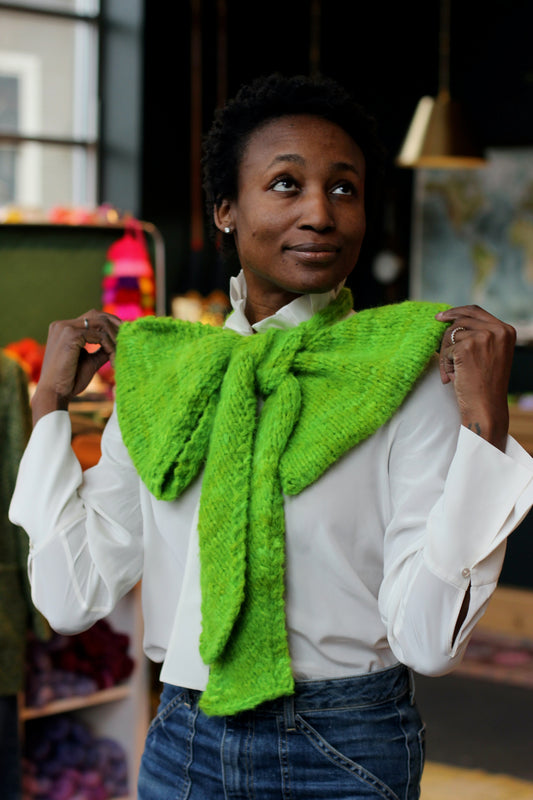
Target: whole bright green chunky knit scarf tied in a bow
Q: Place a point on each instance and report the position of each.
(187, 399)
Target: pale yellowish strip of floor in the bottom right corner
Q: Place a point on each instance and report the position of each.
(442, 782)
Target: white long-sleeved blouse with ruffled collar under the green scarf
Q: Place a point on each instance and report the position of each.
(379, 551)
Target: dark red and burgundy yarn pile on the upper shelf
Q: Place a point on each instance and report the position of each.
(66, 666)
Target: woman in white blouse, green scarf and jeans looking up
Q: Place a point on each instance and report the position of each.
(356, 490)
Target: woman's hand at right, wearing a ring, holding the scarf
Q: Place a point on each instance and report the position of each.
(476, 356)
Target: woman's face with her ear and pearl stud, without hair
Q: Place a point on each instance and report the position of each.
(299, 217)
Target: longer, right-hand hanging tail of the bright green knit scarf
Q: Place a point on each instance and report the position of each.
(255, 663)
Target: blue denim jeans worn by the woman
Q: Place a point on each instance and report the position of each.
(338, 739)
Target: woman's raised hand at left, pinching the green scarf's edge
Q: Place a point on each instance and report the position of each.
(68, 367)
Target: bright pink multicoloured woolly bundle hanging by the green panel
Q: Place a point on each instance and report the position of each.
(128, 286)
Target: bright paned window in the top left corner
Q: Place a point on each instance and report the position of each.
(49, 103)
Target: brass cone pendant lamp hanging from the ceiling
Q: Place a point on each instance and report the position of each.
(438, 136)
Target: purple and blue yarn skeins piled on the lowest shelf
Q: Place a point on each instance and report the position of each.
(63, 760)
